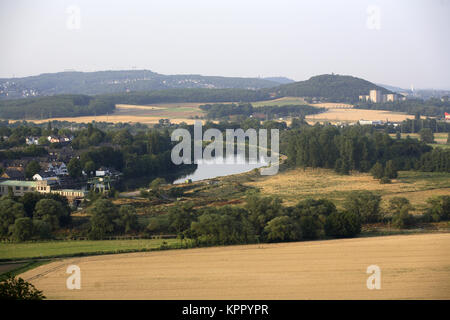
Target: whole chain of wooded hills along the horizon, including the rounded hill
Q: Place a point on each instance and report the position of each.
(132, 87)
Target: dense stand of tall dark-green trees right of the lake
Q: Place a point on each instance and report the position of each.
(359, 148)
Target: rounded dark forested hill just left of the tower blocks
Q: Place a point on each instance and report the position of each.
(329, 87)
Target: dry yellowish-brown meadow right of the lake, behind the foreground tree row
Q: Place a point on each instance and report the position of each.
(296, 184)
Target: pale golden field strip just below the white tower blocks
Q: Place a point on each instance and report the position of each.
(354, 115)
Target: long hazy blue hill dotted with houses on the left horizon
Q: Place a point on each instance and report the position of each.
(103, 82)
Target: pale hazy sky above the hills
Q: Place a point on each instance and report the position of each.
(399, 42)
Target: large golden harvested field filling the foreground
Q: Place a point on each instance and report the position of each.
(412, 267)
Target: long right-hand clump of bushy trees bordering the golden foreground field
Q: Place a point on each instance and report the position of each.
(265, 219)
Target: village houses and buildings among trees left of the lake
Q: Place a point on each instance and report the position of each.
(49, 173)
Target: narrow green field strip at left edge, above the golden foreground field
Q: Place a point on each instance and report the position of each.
(26, 250)
